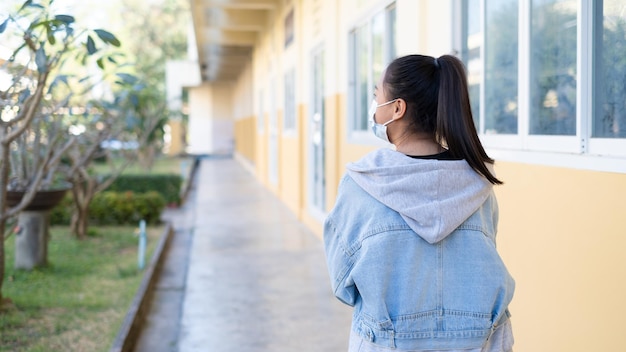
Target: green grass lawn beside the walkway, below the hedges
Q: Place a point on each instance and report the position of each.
(78, 301)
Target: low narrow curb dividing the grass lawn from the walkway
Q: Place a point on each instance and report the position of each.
(128, 333)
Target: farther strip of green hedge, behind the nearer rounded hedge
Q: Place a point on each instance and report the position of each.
(168, 185)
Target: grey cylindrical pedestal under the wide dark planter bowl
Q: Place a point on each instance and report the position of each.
(31, 241)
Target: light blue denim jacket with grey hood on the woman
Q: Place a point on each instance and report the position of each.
(410, 244)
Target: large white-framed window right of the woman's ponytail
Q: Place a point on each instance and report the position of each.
(547, 75)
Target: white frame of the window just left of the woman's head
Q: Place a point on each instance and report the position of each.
(365, 136)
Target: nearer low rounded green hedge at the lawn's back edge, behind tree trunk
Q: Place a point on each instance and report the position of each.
(114, 208)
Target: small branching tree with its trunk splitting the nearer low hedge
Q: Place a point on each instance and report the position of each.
(127, 119)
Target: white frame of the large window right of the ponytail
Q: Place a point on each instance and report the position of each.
(577, 151)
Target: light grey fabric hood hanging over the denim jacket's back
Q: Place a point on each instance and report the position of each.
(434, 197)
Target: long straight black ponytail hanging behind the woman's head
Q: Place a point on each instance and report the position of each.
(455, 125)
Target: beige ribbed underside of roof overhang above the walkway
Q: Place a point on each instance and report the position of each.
(226, 32)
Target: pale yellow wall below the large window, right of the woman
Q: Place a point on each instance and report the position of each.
(562, 237)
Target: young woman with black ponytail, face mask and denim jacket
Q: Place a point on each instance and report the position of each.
(410, 243)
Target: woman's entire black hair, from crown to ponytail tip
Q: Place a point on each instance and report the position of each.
(437, 103)
